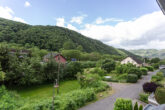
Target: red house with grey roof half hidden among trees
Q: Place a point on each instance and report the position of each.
(56, 56)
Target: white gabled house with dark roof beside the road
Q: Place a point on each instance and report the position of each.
(132, 60)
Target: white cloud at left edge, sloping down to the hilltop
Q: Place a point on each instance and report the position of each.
(8, 13)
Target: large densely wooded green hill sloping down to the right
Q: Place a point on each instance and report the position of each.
(50, 37)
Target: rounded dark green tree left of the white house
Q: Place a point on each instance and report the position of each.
(108, 65)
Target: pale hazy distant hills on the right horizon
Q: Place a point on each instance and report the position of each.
(151, 53)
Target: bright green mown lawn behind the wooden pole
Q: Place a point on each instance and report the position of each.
(46, 90)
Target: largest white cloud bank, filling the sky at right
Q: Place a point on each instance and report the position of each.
(144, 32)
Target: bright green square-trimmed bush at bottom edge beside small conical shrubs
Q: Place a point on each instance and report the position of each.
(123, 104)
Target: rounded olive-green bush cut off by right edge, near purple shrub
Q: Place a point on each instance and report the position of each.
(160, 95)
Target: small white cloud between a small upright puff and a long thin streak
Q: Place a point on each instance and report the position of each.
(78, 19)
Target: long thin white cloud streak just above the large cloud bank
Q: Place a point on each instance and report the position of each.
(100, 20)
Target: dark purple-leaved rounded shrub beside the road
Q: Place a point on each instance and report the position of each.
(149, 87)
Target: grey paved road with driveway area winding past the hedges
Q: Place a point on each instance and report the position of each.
(129, 91)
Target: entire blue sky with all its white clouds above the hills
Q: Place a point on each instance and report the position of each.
(128, 24)
